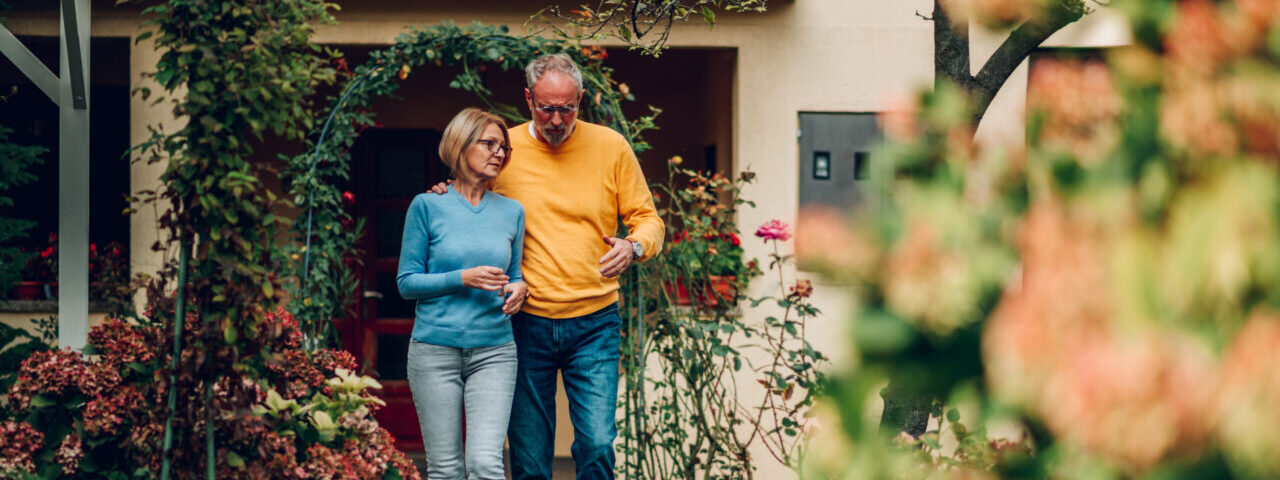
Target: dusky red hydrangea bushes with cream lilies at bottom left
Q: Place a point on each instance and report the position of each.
(103, 417)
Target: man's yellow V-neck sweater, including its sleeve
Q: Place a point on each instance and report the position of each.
(574, 195)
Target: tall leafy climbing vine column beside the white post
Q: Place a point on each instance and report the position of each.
(244, 70)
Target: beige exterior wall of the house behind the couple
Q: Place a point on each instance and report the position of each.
(807, 56)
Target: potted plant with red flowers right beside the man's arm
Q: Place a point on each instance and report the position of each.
(705, 253)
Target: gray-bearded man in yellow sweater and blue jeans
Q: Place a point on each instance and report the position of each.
(575, 180)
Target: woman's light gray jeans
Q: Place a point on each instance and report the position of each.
(445, 381)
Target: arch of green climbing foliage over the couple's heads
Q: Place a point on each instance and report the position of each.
(314, 177)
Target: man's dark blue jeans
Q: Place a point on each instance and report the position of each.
(586, 351)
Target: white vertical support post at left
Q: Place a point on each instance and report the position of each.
(74, 176)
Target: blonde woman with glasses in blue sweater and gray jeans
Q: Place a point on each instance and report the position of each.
(461, 263)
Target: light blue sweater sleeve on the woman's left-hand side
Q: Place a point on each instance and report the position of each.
(413, 280)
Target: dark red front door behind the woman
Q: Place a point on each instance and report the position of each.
(392, 167)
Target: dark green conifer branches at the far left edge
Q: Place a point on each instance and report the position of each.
(15, 171)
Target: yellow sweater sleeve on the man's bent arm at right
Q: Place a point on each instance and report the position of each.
(636, 205)
